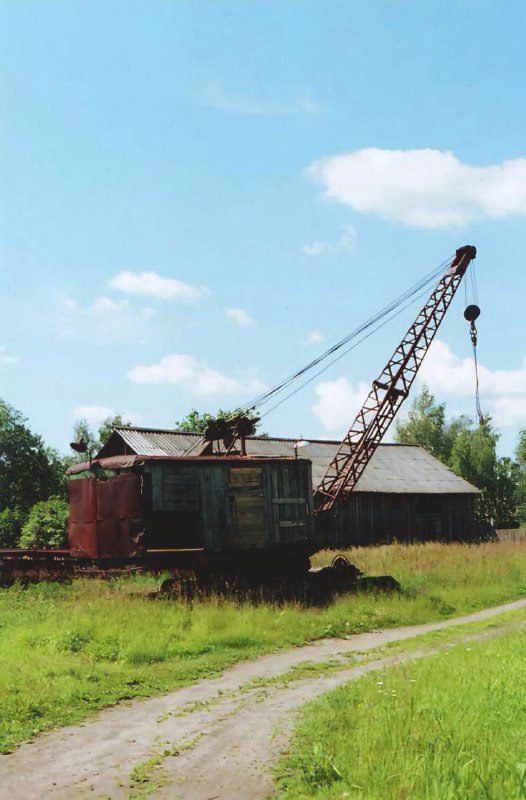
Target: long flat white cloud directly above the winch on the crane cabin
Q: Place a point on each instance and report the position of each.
(194, 376)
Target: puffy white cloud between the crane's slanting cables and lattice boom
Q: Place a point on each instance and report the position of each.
(338, 403)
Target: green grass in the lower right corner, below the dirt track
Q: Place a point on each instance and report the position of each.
(450, 726)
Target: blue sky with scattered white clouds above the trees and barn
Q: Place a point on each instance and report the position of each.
(198, 197)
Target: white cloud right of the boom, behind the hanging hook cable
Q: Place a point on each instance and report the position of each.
(503, 392)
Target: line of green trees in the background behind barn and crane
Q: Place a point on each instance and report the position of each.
(33, 503)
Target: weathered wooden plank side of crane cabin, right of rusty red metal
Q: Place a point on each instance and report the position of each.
(224, 504)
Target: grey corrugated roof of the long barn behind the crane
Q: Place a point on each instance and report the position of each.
(393, 469)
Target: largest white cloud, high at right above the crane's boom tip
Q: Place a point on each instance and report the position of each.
(422, 188)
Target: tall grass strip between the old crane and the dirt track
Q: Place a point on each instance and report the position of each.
(68, 650)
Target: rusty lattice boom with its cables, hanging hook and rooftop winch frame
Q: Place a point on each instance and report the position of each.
(386, 394)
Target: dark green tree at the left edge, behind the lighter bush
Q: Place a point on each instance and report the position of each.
(29, 471)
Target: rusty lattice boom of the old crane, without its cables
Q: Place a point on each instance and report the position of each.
(389, 390)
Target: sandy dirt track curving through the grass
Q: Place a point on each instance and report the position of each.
(215, 740)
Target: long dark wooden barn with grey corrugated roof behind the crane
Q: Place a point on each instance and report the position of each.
(404, 494)
